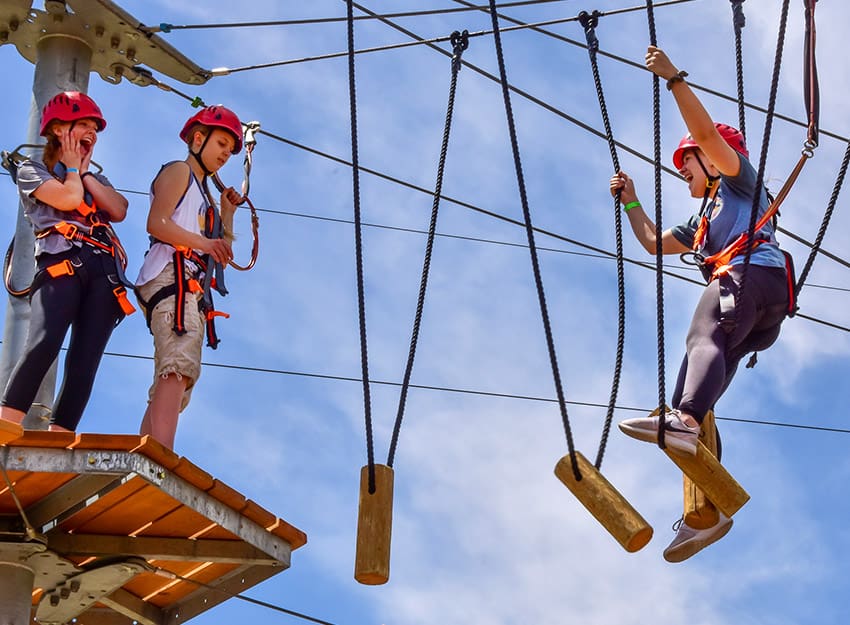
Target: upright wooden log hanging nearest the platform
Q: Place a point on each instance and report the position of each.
(374, 527)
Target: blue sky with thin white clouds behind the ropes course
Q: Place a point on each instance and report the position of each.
(483, 532)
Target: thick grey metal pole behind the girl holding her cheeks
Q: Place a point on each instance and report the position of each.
(64, 64)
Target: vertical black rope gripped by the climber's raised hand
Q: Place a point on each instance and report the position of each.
(659, 253)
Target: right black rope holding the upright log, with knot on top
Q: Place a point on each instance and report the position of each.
(460, 41)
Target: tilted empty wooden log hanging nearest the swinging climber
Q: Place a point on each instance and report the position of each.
(605, 503)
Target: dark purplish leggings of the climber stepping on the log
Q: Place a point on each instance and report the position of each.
(713, 354)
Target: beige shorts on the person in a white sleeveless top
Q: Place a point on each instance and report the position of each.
(173, 354)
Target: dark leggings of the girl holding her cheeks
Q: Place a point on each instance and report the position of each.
(85, 303)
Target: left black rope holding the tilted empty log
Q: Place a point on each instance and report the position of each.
(529, 230)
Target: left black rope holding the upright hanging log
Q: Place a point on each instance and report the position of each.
(358, 245)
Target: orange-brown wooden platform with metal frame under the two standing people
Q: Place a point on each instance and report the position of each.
(101, 499)
